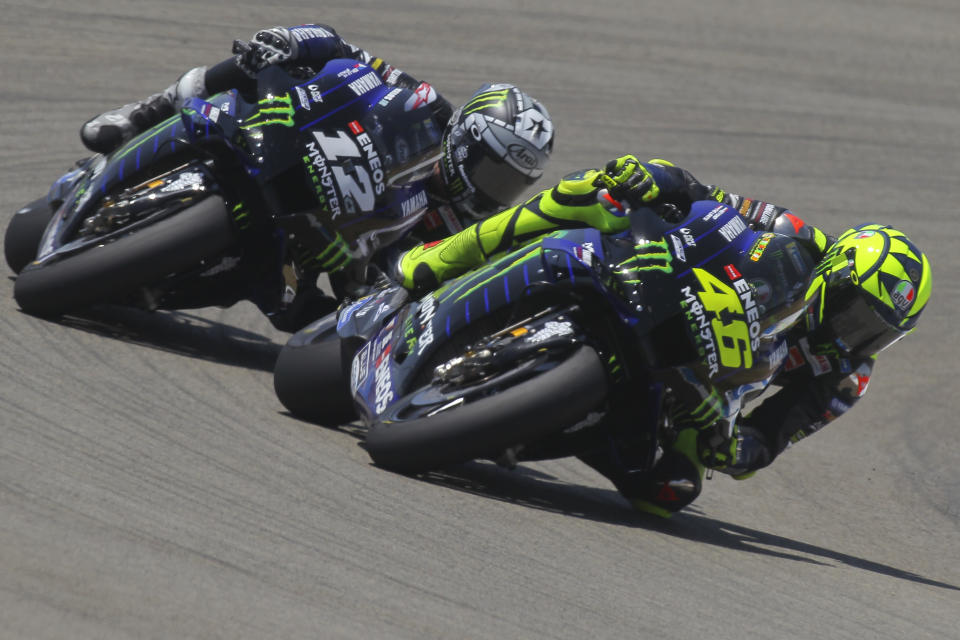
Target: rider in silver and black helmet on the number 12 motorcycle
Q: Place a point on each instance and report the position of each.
(492, 148)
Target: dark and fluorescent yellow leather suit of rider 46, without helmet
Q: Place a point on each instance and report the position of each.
(817, 383)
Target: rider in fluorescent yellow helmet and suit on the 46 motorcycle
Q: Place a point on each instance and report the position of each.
(867, 292)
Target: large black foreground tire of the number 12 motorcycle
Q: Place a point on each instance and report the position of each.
(111, 271)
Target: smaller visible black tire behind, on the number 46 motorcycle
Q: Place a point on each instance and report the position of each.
(312, 382)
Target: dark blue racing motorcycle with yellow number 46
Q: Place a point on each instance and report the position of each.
(524, 358)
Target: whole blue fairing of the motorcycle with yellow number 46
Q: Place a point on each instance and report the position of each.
(675, 279)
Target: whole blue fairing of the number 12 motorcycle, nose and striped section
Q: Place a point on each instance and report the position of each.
(371, 138)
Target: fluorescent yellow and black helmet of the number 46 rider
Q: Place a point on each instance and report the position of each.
(868, 291)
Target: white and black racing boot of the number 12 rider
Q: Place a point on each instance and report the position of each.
(109, 130)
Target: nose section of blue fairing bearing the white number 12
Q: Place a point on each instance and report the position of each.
(368, 166)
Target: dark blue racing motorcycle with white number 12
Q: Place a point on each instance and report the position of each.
(208, 206)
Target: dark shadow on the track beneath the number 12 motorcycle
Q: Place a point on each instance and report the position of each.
(180, 333)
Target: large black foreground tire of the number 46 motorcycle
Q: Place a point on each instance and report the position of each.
(526, 412)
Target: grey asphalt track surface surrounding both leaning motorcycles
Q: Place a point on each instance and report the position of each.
(151, 485)
